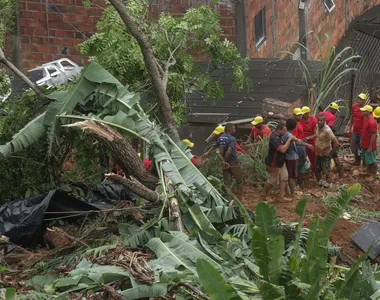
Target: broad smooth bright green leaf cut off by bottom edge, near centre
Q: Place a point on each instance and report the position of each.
(213, 283)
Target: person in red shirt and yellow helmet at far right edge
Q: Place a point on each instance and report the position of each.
(369, 137)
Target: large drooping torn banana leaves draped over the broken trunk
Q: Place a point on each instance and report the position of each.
(101, 97)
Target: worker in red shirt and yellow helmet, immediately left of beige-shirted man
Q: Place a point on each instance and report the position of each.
(309, 125)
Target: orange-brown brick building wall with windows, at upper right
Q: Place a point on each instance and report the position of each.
(282, 28)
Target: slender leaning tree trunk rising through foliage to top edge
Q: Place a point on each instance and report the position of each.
(156, 79)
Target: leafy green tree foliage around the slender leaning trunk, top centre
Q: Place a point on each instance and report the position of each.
(174, 40)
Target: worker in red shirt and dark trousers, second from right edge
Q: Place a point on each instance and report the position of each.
(356, 124)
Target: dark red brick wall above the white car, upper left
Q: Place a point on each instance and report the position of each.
(51, 29)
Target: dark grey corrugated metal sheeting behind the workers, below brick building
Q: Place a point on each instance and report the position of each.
(269, 78)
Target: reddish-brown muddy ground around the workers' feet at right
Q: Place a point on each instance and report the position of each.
(318, 197)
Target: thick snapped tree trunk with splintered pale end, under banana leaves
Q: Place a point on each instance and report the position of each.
(121, 151)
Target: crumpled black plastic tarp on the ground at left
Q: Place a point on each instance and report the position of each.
(22, 220)
